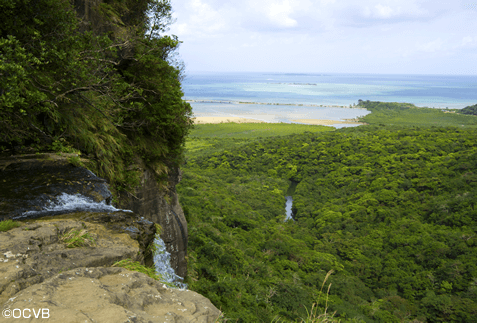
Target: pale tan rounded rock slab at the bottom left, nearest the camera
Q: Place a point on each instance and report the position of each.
(110, 294)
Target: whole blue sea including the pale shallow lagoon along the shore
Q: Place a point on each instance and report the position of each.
(286, 96)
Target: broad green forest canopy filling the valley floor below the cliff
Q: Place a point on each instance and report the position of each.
(391, 209)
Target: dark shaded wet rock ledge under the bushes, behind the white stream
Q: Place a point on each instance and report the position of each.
(28, 183)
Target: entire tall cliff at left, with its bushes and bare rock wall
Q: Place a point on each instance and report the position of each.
(113, 125)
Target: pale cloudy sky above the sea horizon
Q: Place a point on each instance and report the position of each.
(328, 36)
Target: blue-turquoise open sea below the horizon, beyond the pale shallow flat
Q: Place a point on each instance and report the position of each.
(333, 89)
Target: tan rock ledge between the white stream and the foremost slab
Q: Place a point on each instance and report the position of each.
(34, 251)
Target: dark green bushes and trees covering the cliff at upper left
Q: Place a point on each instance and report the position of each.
(92, 77)
